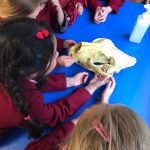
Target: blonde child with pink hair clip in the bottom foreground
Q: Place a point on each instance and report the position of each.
(102, 127)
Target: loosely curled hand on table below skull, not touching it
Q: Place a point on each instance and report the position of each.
(77, 79)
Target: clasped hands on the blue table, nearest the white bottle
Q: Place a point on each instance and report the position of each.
(101, 14)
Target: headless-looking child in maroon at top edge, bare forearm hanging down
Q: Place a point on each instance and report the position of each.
(61, 13)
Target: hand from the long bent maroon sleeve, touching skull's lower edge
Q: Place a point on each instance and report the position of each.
(96, 82)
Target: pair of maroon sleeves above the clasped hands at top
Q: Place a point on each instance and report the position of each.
(114, 4)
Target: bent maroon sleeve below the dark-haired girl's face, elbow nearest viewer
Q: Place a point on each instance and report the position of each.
(53, 113)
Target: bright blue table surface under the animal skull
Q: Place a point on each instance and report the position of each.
(132, 88)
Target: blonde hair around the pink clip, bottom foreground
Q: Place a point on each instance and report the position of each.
(125, 129)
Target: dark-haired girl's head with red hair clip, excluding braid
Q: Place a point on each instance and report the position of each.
(22, 52)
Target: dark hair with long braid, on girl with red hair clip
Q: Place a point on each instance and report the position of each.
(22, 54)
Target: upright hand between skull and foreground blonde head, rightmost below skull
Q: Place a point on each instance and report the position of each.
(108, 90)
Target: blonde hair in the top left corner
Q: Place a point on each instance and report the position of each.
(17, 8)
